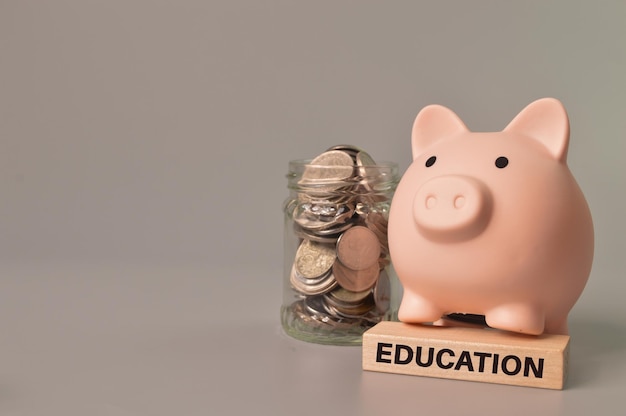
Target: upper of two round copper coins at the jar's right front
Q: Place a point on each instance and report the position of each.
(358, 248)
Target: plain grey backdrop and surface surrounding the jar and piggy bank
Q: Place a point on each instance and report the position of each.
(143, 148)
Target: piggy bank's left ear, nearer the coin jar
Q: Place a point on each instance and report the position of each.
(433, 123)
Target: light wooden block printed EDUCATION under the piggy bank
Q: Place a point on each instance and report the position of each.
(474, 354)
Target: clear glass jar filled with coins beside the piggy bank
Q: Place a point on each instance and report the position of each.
(338, 280)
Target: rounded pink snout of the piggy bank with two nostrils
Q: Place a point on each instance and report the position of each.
(452, 208)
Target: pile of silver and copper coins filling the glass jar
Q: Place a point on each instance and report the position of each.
(340, 218)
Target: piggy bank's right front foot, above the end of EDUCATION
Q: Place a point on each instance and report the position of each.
(524, 318)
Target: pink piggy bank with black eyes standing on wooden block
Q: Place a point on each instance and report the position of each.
(491, 223)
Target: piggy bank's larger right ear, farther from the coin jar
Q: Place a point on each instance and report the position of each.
(546, 121)
